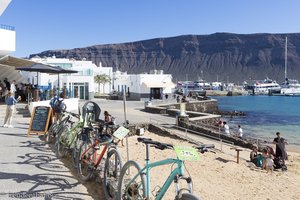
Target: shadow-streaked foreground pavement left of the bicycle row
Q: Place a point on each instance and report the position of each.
(30, 170)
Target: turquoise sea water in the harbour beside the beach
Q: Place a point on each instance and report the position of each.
(265, 115)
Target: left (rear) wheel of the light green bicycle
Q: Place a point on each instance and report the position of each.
(61, 139)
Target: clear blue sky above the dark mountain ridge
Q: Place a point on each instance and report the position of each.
(63, 24)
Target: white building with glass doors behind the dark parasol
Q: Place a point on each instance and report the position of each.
(79, 84)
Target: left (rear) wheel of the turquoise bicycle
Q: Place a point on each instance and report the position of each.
(137, 188)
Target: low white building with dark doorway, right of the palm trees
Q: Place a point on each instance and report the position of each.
(143, 86)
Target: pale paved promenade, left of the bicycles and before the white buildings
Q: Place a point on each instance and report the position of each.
(29, 168)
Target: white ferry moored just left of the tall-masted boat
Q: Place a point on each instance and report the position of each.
(265, 87)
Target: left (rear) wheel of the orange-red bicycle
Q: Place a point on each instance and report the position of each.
(85, 167)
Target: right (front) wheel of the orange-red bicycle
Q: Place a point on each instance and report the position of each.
(112, 169)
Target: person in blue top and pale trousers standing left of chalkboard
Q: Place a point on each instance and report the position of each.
(10, 102)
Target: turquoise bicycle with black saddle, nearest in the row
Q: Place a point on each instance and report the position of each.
(134, 182)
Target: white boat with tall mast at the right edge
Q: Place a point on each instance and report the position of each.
(290, 87)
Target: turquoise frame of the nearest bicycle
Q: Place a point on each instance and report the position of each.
(178, 171)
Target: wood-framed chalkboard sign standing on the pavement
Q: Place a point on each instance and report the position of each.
(40, 120)
